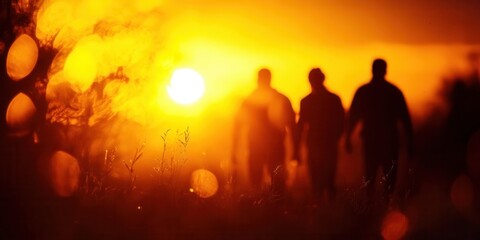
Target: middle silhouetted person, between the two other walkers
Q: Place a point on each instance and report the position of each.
(322, 120)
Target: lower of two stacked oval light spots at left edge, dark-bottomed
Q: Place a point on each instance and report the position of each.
(20, 115)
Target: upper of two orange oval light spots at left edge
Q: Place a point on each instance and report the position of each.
(22, 57)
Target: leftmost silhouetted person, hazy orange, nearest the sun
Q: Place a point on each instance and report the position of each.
(267, 114)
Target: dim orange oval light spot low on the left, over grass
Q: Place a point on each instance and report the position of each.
(65, 173)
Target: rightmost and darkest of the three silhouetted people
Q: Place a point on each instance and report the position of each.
(380, 106)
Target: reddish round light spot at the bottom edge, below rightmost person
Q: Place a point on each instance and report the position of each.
(395, 225)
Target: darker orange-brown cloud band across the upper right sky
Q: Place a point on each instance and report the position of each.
(346, 21)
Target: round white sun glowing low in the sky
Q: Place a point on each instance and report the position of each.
(186, 86)
